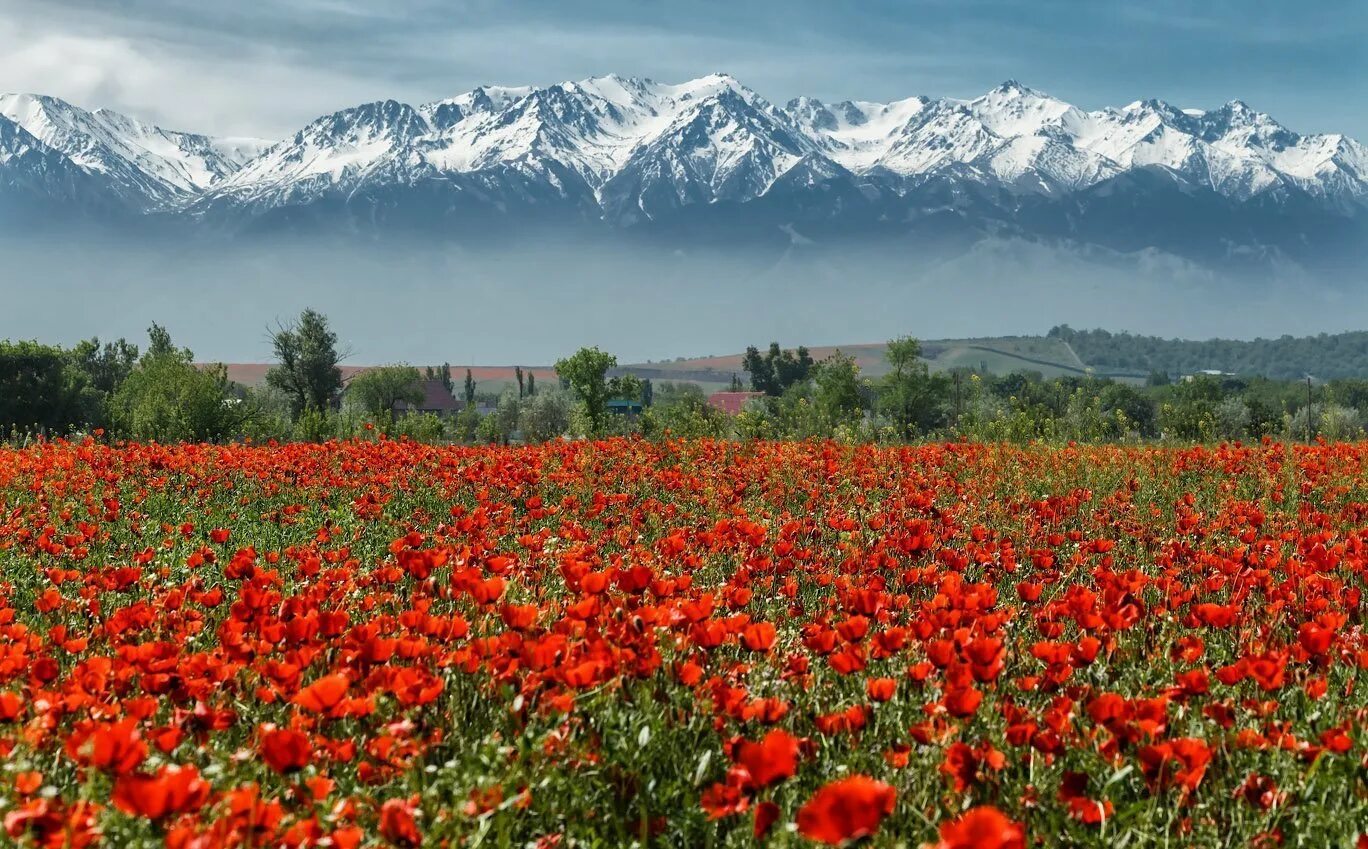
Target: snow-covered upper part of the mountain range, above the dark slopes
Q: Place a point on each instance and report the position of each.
(627, 150)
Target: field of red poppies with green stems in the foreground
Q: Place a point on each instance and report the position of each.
(683, 645)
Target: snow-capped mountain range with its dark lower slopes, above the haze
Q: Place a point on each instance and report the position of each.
(623, 154)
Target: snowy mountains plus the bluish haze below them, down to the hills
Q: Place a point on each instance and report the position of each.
(738, 218)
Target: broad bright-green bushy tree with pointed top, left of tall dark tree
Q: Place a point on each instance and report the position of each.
(169, 399)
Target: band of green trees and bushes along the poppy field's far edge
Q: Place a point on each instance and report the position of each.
(159, 393)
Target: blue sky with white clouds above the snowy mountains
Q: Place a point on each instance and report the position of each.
(269, 66)
